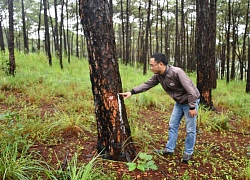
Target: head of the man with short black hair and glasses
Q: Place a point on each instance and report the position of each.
(158, 63)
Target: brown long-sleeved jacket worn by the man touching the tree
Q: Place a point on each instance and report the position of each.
(176, 83)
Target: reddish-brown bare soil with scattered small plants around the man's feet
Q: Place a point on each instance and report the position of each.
(218, 155)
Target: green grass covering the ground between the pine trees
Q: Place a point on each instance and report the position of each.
(66, 95)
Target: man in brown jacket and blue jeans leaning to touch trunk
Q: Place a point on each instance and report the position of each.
(180, 87)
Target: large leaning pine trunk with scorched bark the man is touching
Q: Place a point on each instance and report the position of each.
(114, 136)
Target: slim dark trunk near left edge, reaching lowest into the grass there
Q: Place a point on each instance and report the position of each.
(12, 63)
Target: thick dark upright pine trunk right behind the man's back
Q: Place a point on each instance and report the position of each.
(204, 51)
